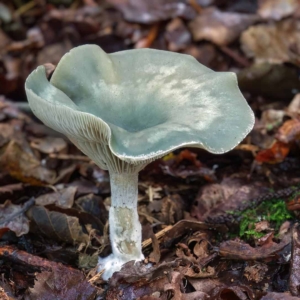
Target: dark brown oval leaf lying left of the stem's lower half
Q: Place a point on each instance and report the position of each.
(57, 226)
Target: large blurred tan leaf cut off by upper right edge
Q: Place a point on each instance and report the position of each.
(274, 42)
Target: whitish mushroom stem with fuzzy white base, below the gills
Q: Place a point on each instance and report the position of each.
(125, 228)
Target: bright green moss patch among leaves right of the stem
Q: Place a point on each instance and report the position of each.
(273, 211)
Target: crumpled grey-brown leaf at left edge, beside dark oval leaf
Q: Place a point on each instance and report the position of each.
(12, 217)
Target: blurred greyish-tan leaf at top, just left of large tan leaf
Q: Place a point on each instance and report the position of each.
(219, 27)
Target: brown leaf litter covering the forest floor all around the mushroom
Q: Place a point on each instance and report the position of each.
(214, 226)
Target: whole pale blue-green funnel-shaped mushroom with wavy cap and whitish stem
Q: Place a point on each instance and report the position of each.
(126, 109)
